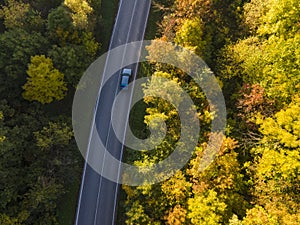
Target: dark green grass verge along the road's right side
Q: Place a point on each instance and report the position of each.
(138, 112)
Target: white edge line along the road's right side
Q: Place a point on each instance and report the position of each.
(127, 121)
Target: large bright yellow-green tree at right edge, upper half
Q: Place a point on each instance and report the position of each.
(273, 64)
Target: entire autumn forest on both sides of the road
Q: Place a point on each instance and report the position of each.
(251, 46)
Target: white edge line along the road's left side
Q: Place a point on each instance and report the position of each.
(93, 123)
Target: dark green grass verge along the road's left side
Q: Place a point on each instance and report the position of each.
(67, 208)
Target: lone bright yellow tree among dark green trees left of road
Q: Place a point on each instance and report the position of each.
(44, 82)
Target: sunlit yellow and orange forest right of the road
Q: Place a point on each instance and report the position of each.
(253, 48)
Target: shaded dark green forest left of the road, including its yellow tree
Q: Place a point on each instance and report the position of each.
(45, 46)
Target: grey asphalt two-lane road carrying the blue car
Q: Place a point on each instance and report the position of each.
(98, 196)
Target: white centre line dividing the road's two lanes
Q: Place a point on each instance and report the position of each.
(110, 126)
